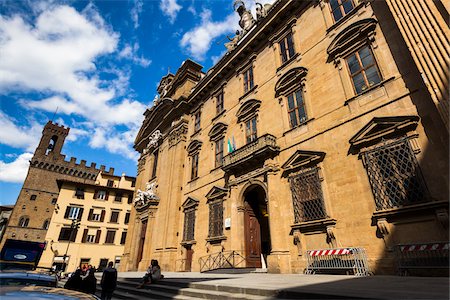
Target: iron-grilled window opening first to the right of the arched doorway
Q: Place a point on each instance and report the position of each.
(307, 196)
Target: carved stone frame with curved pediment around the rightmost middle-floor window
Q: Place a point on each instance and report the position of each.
(350, 40)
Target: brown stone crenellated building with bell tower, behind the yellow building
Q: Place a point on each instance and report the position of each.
(36, 202)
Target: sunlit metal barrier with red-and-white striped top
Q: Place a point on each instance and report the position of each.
(339, 260)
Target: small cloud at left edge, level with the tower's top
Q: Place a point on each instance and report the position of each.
(24, 137)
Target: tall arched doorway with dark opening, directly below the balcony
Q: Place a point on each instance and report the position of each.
(256, 226)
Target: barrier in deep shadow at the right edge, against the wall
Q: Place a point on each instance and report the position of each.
(422, 256)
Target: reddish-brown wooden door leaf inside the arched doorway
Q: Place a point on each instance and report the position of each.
(252, 238)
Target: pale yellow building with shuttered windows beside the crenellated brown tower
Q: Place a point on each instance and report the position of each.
(89, 224)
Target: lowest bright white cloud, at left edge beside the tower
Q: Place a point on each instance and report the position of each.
(15, 171)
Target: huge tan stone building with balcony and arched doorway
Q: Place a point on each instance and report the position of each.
(324, 126)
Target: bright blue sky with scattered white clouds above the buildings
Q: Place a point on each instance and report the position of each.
(99, 62)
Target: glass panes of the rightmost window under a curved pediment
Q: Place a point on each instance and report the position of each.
(363, 69)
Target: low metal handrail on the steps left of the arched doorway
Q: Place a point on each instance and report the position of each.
(221, 260)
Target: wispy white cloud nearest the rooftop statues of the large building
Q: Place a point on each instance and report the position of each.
(198, 40)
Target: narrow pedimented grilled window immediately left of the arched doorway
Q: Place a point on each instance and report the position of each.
(215, 200)
